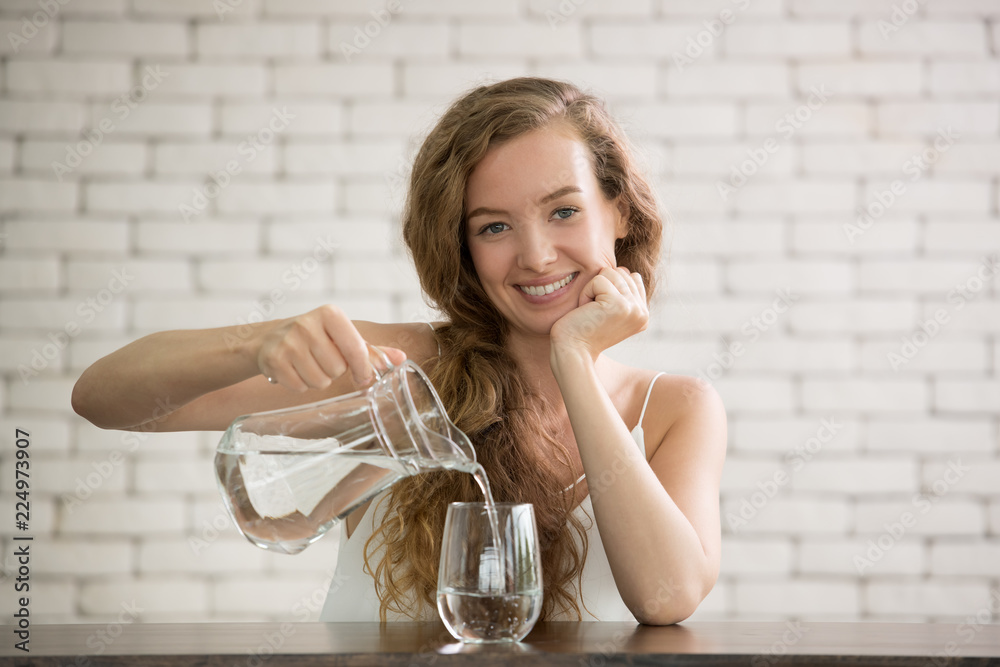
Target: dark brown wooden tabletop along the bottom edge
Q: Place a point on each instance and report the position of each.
(580, 644)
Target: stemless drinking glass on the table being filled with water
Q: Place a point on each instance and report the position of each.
(489, 592)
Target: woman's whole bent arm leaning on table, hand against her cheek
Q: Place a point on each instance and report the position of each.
(659, 521)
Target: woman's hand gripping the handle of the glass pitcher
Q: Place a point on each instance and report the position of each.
(312, 350)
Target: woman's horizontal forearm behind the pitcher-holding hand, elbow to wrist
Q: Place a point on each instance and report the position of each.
(161, 372)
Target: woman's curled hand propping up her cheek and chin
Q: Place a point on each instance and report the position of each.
(612, 308)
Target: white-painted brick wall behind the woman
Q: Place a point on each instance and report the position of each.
(332, 178)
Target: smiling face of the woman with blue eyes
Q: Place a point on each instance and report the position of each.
(538, 226)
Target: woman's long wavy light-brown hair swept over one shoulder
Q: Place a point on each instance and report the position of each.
(512, 429)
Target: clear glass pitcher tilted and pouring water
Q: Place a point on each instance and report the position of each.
(287, 476)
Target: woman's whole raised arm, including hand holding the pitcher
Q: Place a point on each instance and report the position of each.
(203, 379)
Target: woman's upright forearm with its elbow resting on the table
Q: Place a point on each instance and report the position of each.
(657, 558)
